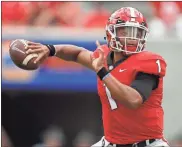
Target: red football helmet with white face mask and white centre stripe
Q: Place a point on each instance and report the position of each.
(127, 31)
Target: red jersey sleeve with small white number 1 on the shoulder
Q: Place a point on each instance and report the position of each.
(155, 66)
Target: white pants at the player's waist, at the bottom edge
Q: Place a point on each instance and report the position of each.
(104, 143)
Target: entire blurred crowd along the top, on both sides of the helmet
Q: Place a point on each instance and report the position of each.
(164, 18)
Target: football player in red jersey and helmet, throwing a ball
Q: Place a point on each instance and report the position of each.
(130, 80)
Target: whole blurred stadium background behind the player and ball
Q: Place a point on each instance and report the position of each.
(58, 104)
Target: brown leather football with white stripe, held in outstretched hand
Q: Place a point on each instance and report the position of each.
(20, 58)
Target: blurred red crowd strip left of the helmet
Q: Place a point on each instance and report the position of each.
(63, 14)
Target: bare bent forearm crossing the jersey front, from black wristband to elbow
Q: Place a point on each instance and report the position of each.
(123, 93)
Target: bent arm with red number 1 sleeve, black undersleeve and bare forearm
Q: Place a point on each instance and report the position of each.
(146, 80)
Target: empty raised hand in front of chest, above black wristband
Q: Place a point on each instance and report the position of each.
(98, 62)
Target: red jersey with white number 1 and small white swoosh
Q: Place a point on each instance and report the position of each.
(126, 126)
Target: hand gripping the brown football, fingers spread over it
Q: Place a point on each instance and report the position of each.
(40, 49)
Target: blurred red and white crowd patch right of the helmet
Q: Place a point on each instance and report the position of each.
(167, 19)
